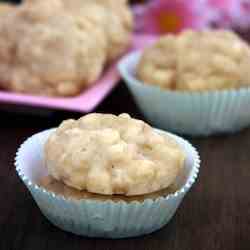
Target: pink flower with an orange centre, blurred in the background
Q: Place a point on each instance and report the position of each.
(163, 16)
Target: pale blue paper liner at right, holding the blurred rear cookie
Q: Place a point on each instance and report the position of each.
(191, 113)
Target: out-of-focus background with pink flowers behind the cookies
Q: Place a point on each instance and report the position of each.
(167, 16)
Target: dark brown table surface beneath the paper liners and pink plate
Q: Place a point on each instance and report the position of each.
(214, 215)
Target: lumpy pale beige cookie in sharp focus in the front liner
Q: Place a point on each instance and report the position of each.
(108, 154)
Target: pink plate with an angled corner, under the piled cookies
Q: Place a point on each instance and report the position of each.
(87, 100)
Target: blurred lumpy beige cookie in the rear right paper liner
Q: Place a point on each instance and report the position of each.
(197, 61)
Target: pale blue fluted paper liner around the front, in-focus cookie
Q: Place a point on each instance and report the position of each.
(106, 219)
